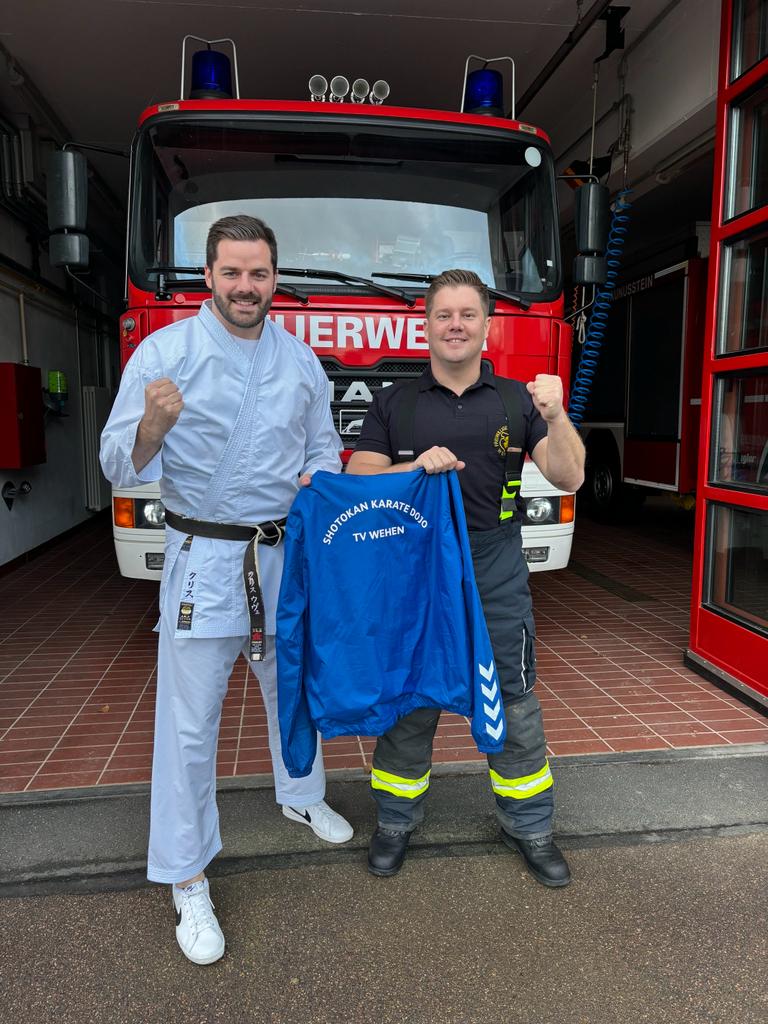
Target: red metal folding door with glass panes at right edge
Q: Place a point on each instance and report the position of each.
(730, 613)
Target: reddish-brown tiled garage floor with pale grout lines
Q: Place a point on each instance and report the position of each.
(77, 665)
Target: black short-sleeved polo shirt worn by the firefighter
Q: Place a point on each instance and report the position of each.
(472, 425)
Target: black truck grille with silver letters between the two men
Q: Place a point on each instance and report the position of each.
(355, 388)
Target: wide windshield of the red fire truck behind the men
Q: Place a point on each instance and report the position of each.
(361, 198)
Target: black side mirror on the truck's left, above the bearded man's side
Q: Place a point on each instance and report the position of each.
(67, 182)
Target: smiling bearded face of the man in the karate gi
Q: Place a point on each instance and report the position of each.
(243, 282)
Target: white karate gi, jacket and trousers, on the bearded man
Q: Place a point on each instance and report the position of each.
(257, 417)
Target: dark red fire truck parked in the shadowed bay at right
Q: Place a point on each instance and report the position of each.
(643, 421)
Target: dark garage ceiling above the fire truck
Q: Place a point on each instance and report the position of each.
(98, 64)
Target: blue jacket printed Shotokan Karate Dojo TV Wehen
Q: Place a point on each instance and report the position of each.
(379, 614)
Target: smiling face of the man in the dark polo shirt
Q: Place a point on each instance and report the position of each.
(457, 328)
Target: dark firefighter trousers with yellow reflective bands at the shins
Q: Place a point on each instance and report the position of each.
(521, 777)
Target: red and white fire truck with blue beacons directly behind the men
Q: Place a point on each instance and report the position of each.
(368, 202)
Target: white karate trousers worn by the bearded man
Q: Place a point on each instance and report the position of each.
(193, 677)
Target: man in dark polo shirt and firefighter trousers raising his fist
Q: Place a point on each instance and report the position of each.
(456, 417)
